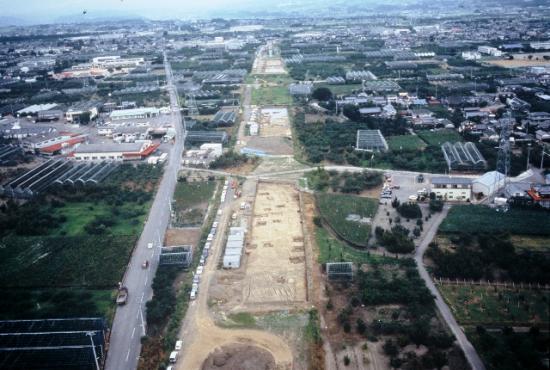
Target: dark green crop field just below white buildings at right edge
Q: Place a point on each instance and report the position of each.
(478, 219)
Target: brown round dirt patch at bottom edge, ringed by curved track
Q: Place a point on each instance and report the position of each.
(239, 357)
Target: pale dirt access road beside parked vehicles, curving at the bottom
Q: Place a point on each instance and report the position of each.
(200, 334)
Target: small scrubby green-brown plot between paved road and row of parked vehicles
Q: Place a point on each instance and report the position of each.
(191, 200)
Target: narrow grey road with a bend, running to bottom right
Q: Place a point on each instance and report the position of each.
(469, 350)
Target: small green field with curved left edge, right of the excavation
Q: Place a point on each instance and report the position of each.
(334, 208)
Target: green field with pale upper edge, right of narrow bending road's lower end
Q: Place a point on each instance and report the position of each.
(476, 305)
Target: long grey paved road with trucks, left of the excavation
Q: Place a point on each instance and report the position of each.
(129, 322)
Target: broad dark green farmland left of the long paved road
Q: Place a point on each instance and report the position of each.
(75, 241)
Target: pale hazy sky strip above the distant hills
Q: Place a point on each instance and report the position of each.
(49, 10)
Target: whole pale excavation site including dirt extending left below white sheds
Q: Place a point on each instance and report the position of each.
(273, 272)
